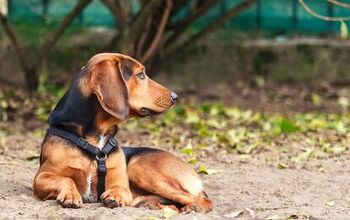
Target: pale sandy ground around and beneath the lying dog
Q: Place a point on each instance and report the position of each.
(251, 187)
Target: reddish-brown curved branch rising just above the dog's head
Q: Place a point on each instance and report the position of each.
(155, 43)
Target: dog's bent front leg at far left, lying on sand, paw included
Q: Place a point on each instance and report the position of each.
(63, 189)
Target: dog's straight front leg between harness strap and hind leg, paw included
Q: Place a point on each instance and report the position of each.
(117, 191)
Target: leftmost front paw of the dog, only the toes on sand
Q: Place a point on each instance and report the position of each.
(69, 199)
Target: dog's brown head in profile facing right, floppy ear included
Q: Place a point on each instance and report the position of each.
(123, 88)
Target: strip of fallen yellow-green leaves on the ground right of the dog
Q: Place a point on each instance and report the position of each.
(194, 127)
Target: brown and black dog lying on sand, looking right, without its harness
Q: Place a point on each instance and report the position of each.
(109, 89)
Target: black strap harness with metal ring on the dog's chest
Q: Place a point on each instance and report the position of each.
(99, 154)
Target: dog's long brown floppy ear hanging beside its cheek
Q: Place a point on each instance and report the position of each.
(108, 84)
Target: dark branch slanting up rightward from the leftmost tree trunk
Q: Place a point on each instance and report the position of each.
(50, 41)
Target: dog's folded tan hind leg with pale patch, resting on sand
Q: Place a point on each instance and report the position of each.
(163, 174)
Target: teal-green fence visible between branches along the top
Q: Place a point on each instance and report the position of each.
(277, 16)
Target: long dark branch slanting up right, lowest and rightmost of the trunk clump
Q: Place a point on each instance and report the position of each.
(173, 50)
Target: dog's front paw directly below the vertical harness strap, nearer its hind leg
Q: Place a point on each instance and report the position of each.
(116, 197)
